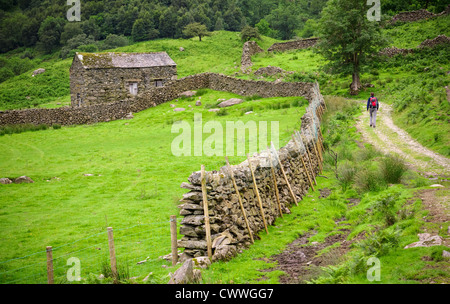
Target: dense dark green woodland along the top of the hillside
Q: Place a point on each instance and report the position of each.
(29, 23)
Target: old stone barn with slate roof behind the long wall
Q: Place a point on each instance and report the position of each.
(109, 77)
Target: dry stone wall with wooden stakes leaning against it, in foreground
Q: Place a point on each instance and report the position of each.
(229, 232)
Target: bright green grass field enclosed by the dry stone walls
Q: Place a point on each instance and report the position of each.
(136, 178)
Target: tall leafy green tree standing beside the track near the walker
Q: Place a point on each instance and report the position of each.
(347, 38)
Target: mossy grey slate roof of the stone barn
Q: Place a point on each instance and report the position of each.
(124, 60)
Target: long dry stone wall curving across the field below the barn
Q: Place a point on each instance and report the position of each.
(120, 110)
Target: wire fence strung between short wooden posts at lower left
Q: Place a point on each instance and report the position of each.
(144, 243)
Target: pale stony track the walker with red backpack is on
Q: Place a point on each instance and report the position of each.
(391, 139)
